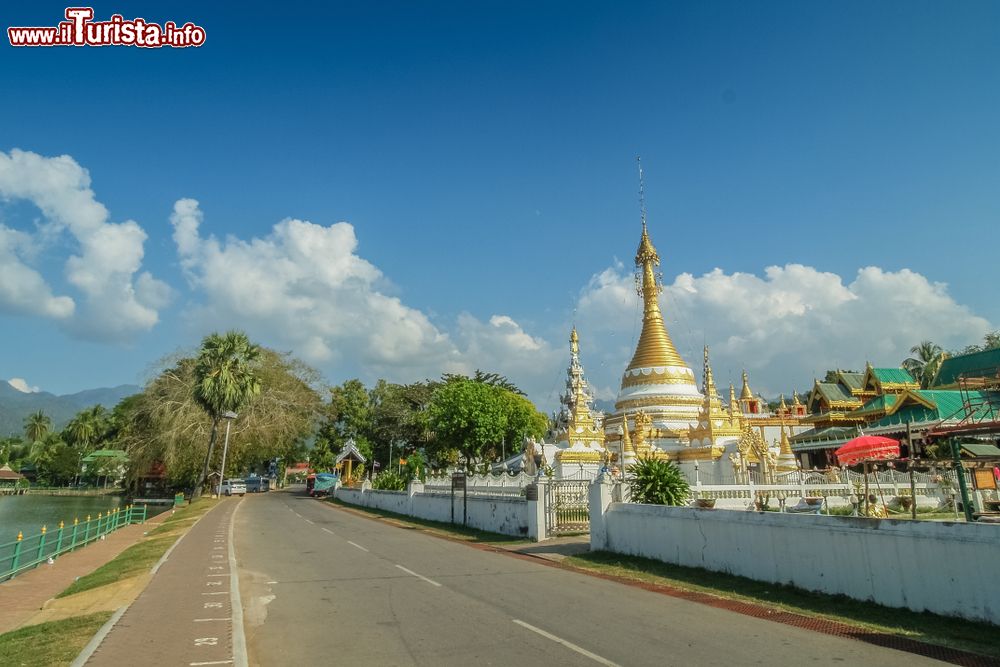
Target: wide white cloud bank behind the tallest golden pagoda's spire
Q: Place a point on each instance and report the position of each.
(786, 326)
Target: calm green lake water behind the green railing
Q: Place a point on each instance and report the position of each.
(30, 513)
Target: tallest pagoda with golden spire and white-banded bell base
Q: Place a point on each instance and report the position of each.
(657, 383)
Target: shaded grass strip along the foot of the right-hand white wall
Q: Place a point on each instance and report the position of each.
(925, 627)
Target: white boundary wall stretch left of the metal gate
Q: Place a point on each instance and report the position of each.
(507, 516)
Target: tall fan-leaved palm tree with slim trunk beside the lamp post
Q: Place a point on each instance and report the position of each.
(225, 381)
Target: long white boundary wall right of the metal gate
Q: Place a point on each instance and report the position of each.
(944, 567)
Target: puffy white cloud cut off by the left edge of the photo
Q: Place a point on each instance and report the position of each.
(117, 299)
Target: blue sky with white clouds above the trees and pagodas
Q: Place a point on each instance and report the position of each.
(400, 190)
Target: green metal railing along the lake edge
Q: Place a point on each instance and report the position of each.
(25, 553)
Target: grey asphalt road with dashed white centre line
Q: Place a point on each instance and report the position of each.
(323, 586)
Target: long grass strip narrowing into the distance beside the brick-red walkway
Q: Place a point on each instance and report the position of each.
(140, 557)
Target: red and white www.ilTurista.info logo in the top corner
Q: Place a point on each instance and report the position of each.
(79, 29)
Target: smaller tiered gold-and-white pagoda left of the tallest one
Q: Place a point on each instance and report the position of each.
(578, 428)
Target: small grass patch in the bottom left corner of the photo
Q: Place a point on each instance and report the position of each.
(46, 644)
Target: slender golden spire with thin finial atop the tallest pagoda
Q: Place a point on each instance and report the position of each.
(655, 349)
